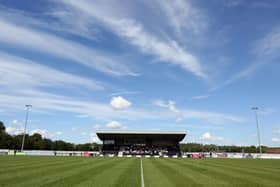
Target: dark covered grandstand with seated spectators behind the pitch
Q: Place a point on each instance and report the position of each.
(141, 143)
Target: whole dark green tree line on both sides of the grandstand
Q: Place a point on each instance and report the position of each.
(37, 142)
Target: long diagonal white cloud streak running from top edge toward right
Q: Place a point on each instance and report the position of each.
(134, 33)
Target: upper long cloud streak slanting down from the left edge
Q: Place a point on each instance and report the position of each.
(34, 40)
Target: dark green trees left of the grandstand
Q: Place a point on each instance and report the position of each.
(37, 142)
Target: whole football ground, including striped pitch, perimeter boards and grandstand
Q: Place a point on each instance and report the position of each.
(138, 158)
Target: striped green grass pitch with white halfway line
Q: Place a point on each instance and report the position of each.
(158, 172)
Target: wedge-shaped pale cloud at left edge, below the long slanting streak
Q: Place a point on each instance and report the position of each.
(16, 73)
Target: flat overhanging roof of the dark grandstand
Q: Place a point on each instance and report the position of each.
(175, 135)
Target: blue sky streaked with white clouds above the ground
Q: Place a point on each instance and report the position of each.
(142, 65)
